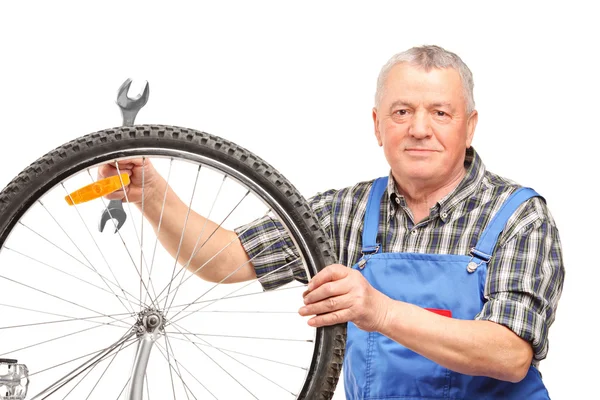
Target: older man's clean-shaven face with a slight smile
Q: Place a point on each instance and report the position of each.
(422, 124)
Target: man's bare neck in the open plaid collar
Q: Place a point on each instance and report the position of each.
(421, 196)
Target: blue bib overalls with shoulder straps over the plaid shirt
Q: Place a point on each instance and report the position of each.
(376, 367)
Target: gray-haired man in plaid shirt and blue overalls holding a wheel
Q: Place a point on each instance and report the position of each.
(440, 237)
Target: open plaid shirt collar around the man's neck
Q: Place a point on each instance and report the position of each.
(475, 171)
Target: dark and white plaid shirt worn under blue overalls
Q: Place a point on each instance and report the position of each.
(525, 274)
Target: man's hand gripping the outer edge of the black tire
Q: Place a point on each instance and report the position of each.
(339, 294)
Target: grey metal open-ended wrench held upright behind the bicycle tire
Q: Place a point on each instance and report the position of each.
(129, 109)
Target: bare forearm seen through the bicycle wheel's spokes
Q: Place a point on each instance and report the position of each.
(217, 251)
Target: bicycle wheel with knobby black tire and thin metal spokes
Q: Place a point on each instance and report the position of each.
(76, 300)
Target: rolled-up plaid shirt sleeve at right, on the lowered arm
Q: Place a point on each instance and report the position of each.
(525, 277)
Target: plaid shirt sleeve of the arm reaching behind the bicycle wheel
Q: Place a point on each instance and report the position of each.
(272, 252)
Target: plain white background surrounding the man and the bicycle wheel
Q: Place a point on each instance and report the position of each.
(295, 85)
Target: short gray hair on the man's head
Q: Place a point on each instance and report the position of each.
(428, 57)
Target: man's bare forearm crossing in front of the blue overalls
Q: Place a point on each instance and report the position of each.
(480, 348)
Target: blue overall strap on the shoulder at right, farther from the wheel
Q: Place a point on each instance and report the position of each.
(487, 242)
